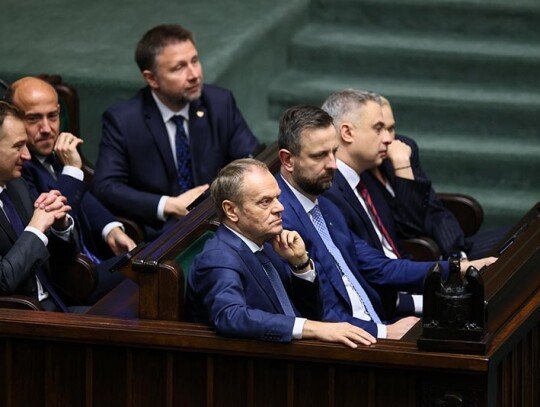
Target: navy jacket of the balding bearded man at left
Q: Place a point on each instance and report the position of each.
(90, 215)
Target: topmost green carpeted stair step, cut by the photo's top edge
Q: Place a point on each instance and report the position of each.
(516, 19)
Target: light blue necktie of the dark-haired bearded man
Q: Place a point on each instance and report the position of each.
(320, 225)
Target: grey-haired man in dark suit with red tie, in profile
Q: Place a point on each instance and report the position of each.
(363, 142)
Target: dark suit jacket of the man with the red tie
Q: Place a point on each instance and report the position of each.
(342, 195)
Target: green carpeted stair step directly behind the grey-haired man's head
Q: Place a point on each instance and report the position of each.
(424, 106)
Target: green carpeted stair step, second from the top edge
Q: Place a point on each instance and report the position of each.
(374, 52)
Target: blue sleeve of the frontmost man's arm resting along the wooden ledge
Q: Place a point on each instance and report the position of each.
(221, 292)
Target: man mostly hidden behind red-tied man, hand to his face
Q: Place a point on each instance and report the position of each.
(416, 208)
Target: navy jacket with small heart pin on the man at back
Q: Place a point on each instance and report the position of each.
(135, 166)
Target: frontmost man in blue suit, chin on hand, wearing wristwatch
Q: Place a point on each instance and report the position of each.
(239, 294)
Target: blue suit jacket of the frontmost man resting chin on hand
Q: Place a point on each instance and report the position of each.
(228, 288)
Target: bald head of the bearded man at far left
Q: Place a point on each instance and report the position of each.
(39, 102)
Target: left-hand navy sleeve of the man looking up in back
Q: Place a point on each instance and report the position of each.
(111, 179)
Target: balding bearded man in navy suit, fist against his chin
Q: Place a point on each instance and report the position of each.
(56, 164)
